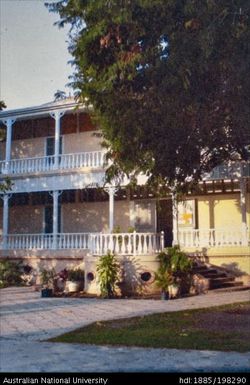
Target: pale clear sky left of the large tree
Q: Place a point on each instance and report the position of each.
(33, 54)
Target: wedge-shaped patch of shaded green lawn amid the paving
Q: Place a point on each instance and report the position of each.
(225, 328)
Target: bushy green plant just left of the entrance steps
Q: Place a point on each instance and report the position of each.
(174, 268)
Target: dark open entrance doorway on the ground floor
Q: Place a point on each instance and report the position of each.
(165, 220)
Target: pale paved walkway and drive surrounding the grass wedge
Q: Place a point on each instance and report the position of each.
(27, 320)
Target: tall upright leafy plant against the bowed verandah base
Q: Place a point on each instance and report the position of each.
(108, 274)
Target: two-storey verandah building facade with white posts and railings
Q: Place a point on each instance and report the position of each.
(59, 212)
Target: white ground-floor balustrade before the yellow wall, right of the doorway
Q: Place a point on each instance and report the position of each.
(213, 237)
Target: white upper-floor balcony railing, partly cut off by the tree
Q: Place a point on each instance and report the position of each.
(49, 163)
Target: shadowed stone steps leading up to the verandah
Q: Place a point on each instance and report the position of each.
(216, 277)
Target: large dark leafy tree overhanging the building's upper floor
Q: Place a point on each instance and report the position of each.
(168, 81)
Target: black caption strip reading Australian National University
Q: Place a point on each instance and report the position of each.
(199, 378)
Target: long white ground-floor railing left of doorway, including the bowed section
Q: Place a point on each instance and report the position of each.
(96, 243)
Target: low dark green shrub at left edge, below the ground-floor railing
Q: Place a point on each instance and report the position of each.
(10, 273)
